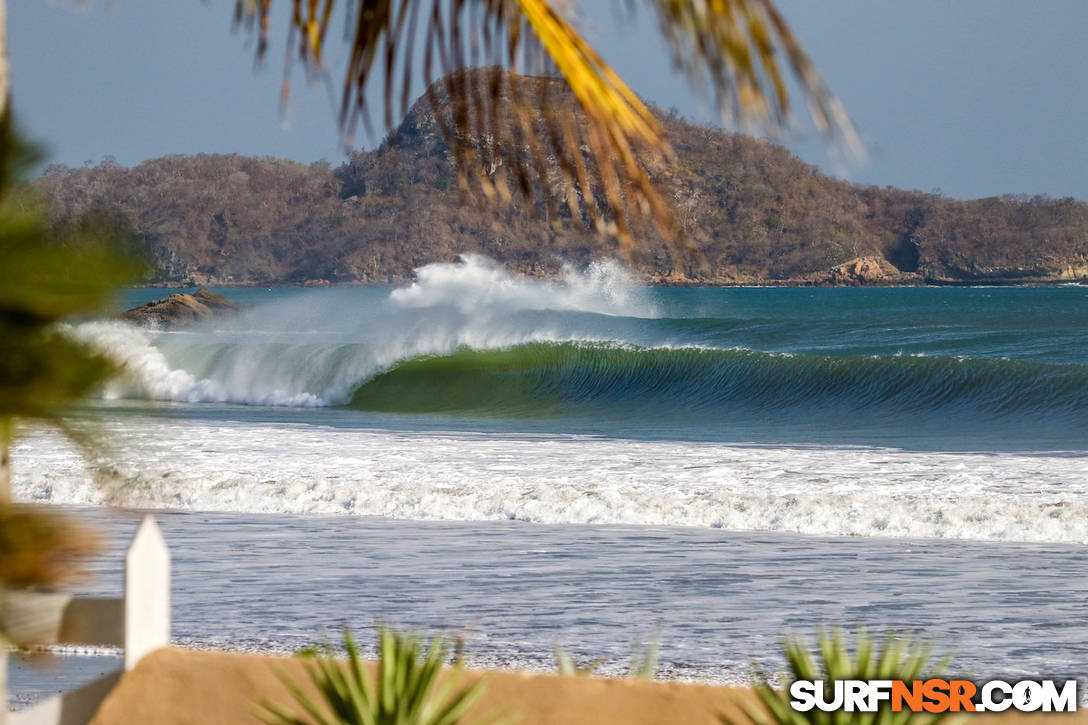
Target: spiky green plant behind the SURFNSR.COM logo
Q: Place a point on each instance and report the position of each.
(897, 657)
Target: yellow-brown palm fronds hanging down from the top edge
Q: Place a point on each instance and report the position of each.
(501, 127)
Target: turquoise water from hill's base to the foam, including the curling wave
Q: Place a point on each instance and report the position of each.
(921, 367)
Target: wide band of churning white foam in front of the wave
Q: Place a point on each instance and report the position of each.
(827, 491)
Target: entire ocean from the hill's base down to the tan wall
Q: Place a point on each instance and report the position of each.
(586, 463)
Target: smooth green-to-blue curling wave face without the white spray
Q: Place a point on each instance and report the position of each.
(558, 379)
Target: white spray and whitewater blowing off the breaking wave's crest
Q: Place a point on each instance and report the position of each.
(313, 353)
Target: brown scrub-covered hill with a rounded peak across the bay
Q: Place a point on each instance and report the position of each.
(759, 214)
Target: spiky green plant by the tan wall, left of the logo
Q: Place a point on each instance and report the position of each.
(404, 690)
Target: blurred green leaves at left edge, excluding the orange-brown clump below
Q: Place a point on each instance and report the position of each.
(48, 274)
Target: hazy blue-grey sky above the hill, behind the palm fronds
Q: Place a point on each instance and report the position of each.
(973, 97)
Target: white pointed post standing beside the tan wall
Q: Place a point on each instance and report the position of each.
(147, 594)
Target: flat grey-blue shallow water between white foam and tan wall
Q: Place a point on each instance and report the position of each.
(715, 611)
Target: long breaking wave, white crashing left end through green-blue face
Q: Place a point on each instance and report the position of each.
(528, 374)
